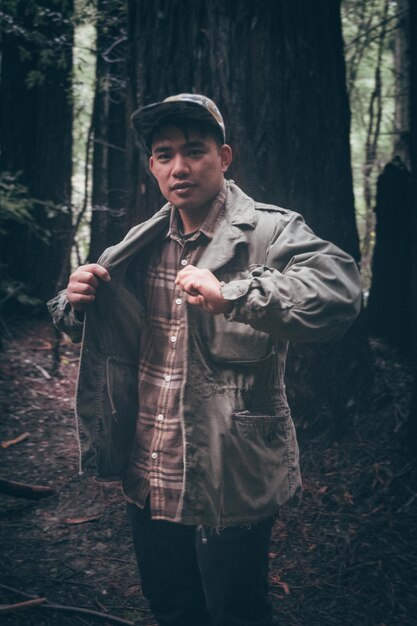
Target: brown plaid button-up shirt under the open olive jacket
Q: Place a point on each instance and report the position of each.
(156, 464)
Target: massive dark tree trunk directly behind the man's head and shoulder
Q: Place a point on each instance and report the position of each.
(276, 70)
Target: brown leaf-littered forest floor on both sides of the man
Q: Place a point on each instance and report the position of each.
(344, 555)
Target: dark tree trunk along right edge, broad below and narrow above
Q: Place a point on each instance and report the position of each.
(388, 310)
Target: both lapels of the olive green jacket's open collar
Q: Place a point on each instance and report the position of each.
(240, 217)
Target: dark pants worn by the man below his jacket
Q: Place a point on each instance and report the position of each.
(202, 576)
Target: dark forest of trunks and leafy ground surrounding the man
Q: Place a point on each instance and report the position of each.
(319, 99)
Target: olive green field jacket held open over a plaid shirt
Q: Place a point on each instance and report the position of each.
(240, 449)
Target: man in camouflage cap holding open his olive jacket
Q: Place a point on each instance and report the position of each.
(181, 388)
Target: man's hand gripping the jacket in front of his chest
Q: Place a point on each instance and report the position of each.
(203, 289)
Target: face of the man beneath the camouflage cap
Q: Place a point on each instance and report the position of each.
(189, 169)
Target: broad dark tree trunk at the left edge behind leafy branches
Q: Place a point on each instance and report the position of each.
(36, 123)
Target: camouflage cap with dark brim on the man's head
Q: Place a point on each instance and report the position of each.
(187, 106)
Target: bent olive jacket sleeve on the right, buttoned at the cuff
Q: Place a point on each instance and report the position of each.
(308, 289)
